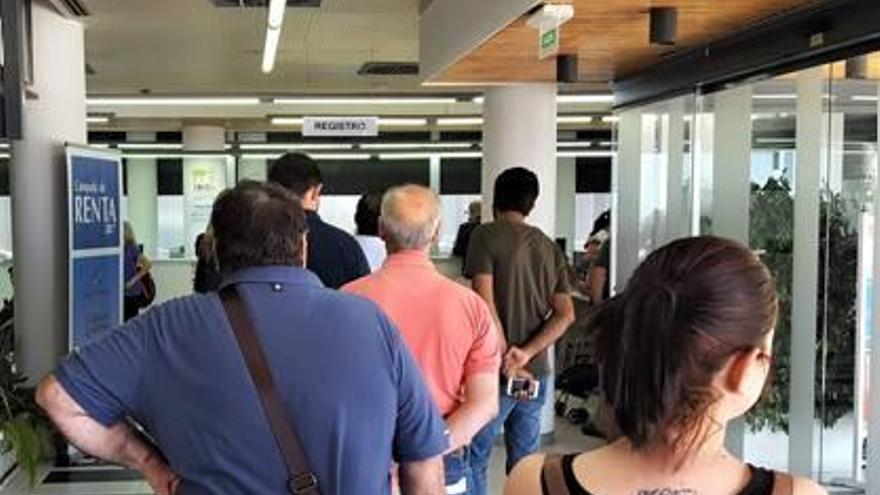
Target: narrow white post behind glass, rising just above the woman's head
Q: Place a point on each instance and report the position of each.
(677, 211)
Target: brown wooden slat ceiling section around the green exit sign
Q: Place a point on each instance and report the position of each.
(610, 38)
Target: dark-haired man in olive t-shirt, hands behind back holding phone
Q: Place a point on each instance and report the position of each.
(523, 277)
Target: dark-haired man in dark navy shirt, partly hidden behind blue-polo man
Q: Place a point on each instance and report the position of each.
(334, 255)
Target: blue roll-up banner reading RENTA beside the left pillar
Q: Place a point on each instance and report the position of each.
(94, 191)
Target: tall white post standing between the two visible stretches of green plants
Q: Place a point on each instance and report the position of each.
(805, 278)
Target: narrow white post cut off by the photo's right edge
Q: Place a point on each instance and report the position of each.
(872, 473)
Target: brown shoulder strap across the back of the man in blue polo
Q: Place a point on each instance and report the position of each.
(302, 478)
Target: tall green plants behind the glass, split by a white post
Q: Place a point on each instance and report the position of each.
(772, 233)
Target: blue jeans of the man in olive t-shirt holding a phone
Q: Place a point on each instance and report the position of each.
(522, 434)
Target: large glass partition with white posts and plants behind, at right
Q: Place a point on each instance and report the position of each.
(788, 165)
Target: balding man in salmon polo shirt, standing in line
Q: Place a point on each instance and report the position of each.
(447, 327)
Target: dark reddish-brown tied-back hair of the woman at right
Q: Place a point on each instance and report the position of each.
(689, 307)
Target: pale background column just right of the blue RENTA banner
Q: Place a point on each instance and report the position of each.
(143, 195)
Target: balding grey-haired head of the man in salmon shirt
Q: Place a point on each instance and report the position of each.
(410, 217)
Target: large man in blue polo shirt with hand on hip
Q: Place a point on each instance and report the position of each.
(348, 385)
